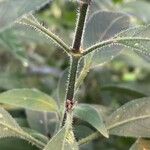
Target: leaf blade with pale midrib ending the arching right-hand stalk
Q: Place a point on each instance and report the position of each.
(137, 39)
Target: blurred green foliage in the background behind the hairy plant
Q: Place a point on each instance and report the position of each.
(27, 60)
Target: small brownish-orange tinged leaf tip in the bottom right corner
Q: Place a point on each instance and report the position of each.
(141, 144)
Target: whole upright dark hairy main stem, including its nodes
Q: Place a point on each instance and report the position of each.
(74, 60)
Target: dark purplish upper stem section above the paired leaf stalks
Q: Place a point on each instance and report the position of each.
(80, 27)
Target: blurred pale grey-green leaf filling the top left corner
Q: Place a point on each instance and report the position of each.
(11, 10)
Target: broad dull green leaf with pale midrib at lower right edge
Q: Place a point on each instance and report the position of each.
(132, 119)
